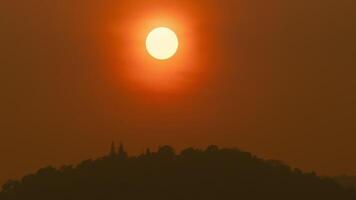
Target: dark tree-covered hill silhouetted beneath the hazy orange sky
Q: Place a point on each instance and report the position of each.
(213, 173)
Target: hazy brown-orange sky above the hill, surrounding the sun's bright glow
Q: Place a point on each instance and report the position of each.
(277, 78)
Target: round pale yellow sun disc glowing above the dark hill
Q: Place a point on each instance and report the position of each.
(162, 43)
